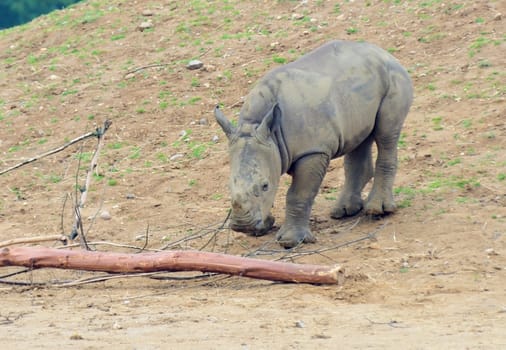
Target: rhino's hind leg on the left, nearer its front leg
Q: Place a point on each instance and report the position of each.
(358, 170)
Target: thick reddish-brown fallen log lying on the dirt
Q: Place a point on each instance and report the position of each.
(170, 261)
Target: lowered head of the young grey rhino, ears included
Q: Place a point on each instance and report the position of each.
(255, 164)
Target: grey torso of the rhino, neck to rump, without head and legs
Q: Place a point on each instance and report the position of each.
(329, 98)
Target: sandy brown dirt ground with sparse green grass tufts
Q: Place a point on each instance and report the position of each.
(432, 275)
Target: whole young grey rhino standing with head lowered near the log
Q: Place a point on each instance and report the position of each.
(334, 101)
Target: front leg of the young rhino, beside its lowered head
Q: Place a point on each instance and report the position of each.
(307, 175)
